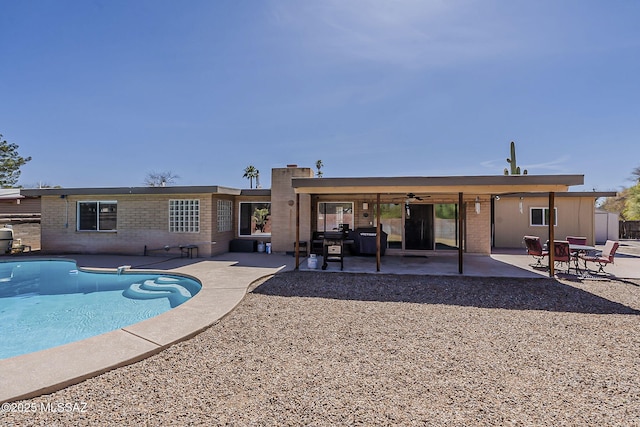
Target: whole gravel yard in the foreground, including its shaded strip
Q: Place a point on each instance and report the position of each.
(350, 349)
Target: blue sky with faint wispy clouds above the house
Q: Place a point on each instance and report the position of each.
(102, 92)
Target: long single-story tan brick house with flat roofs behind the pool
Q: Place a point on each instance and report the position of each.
(469, 214)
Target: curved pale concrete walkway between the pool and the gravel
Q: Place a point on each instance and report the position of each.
(224, 285)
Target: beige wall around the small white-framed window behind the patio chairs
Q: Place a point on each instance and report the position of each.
(575, 218)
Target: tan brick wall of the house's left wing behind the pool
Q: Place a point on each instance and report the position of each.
(142, 220)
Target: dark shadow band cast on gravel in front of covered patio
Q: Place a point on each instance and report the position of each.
(505, 293)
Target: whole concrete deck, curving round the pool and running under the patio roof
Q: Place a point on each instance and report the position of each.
(225, 279)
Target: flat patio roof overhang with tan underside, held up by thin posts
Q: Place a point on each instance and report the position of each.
(491, 184)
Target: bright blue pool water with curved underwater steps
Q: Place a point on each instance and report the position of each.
(46, 303)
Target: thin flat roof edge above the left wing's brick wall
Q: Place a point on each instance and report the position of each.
(214, 189)
